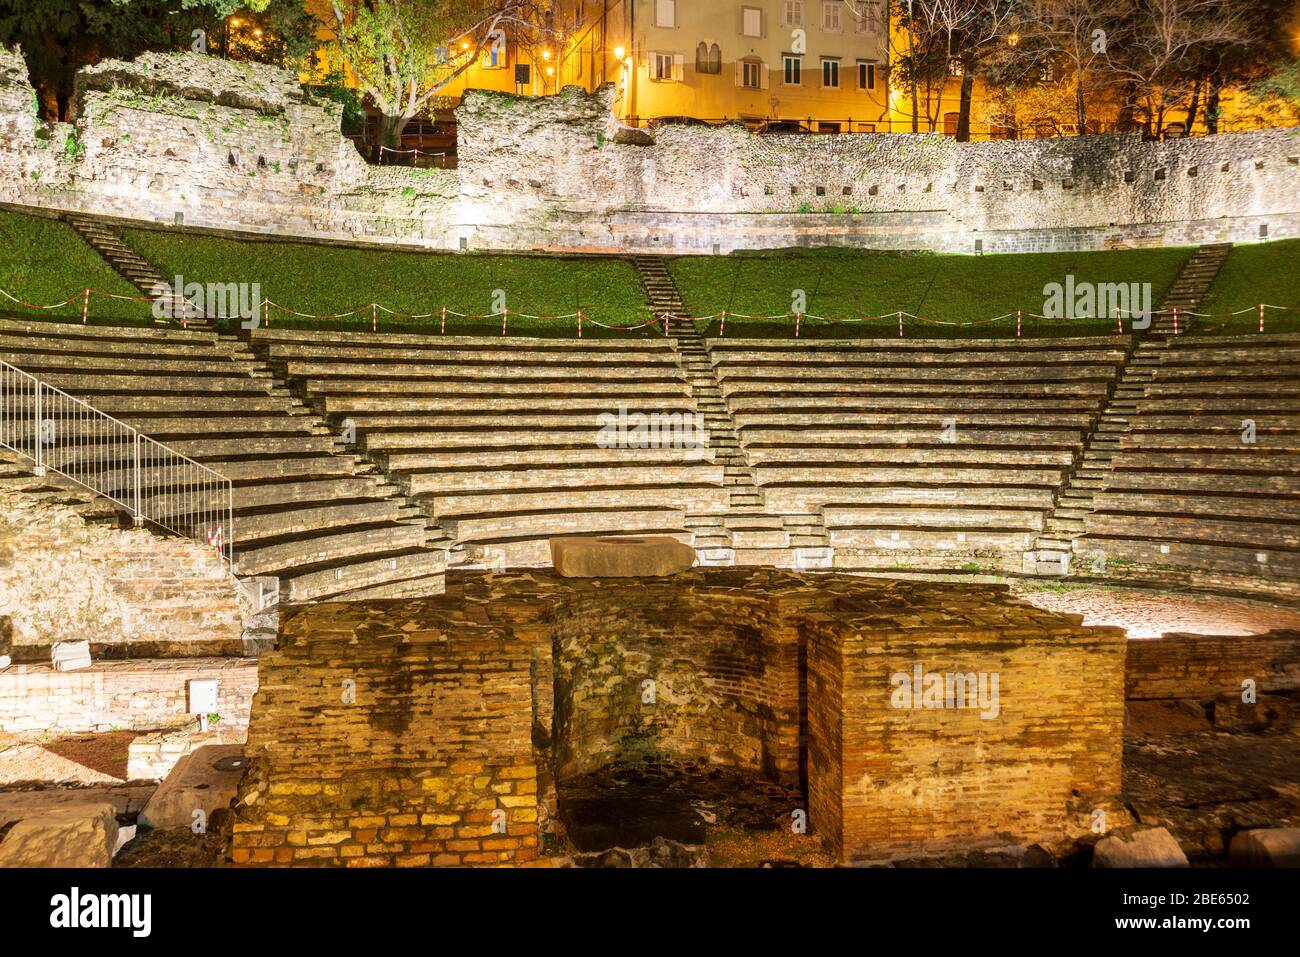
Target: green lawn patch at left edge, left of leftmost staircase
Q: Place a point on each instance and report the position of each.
(45, 262)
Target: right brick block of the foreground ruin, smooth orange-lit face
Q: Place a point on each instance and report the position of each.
(887, 781)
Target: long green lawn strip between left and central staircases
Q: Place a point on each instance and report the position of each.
(327, 280)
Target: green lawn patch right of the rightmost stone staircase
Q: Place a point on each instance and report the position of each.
(1253, 275)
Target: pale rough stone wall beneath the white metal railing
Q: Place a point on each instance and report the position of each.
(129, 592)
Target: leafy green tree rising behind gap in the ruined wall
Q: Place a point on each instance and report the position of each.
(405, 53)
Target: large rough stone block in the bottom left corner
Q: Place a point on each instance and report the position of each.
(72, 837)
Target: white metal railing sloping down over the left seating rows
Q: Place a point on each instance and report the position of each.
(157, 486)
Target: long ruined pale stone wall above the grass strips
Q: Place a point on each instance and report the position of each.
(241, 146)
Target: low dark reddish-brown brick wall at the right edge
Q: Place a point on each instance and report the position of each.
(1202, 666)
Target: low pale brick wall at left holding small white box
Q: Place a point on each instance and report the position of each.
(124, 695)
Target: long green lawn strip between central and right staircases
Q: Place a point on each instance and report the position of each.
(850, 284)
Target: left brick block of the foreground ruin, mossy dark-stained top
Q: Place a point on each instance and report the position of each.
(432, 763)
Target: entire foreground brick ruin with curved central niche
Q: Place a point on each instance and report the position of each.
(432, 731)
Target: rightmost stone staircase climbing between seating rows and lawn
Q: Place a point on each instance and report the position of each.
(1055, 548)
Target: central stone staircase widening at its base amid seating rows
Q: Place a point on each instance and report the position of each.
(747, 527)
